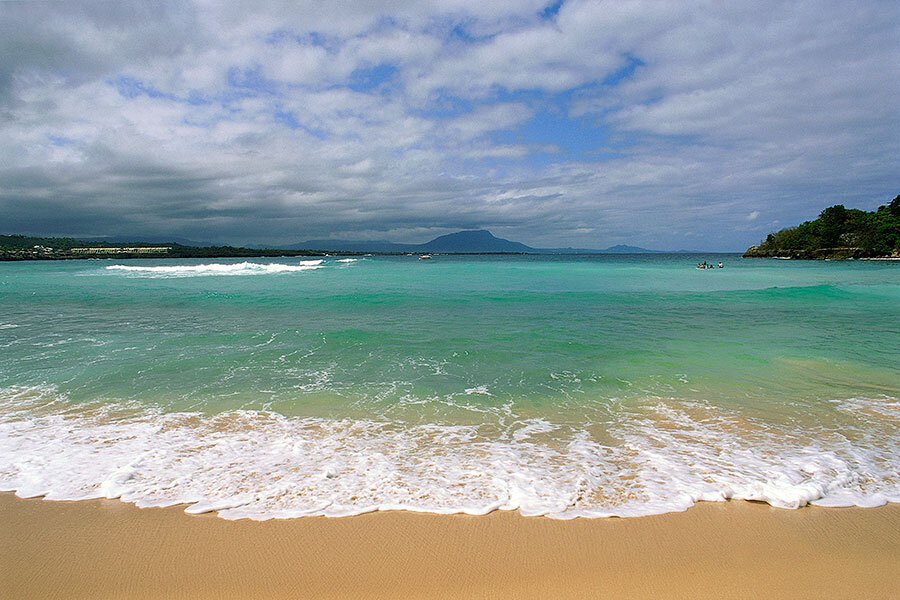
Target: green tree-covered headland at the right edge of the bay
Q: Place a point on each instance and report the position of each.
(838, 233)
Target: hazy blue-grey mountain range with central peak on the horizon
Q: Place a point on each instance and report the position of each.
(479, 240)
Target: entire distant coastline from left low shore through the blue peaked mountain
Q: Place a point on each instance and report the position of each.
(22, 247)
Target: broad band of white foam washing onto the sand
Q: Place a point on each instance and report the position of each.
(663, 457)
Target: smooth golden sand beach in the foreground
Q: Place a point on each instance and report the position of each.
(109, 549)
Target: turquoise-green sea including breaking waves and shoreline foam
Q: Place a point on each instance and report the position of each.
(567, 386)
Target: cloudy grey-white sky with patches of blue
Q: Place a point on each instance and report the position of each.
(667, 125)
